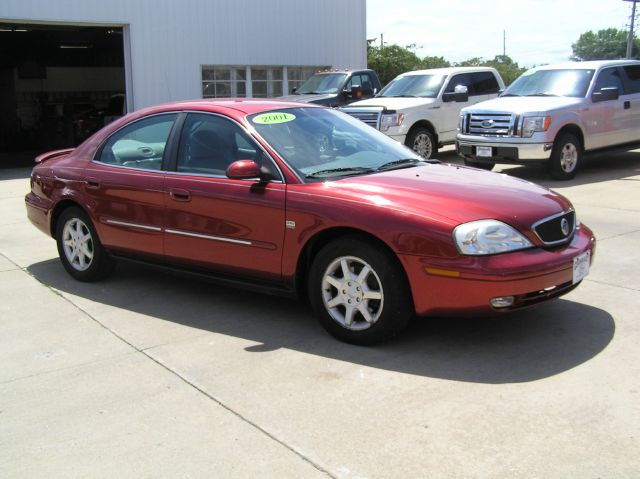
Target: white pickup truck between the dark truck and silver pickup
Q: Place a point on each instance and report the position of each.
(421, 108)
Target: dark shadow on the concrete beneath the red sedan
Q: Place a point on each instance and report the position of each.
(521, 347)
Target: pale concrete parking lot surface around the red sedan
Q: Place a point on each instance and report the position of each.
(151, 374)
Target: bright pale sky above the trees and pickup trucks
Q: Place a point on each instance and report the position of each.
(537, 31)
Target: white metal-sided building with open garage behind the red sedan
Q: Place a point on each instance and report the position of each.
(164, 50)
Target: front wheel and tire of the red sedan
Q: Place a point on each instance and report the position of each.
(359, 291)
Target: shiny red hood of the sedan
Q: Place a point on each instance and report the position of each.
(457, 193)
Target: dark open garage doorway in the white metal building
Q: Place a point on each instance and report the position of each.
(58, 85)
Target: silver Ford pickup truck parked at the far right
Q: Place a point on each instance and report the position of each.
(554, 114)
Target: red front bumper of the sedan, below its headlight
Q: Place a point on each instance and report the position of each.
(465, 286)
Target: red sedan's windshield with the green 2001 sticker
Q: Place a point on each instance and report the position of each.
(322, 144)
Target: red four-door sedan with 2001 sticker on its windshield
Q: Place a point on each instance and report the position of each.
(298, 199)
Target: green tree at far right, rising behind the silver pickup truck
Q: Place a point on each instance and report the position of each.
(607, 44)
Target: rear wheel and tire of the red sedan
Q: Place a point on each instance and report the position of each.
(79, 247)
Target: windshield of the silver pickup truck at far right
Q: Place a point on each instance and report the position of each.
(573, 83)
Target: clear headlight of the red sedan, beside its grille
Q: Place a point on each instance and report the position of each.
(488, 237)
